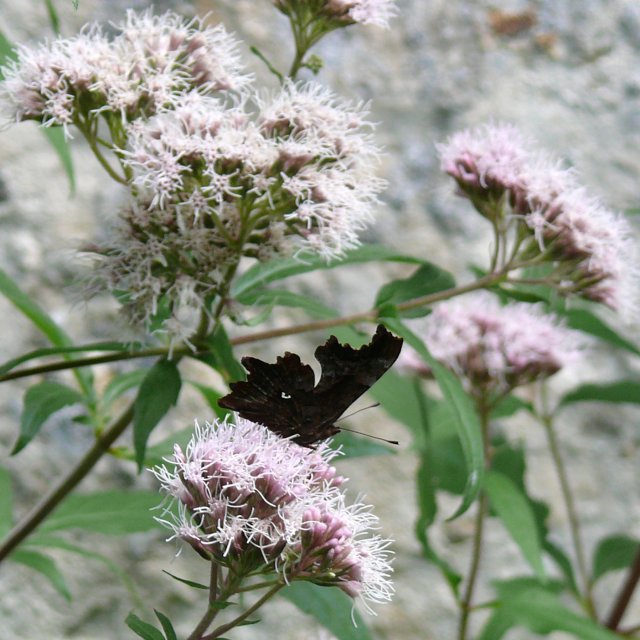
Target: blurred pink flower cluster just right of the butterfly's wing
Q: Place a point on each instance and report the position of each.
(496, 348)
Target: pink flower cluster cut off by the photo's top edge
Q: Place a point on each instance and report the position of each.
(376, 12)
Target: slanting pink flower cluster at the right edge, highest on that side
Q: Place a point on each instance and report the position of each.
(497, 169)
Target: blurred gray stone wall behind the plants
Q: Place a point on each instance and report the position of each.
(571, 80)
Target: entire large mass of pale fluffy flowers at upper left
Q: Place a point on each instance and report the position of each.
(217, 170)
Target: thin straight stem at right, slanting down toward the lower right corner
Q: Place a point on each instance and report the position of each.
(567, 495)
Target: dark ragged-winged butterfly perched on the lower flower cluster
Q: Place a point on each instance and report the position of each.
(284, 397)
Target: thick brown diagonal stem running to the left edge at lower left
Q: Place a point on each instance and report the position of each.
(66, 485)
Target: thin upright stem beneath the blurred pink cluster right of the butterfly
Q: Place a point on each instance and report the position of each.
(466, 604)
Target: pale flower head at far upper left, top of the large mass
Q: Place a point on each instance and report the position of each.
(150, 61)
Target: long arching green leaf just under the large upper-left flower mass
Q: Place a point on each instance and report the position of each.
(263, 273)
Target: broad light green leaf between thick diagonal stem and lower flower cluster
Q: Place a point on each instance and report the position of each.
(108, 512)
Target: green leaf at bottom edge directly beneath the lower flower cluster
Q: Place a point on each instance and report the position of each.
(332, 608)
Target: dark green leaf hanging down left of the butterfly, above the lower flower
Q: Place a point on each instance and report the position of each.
(158, 392)
